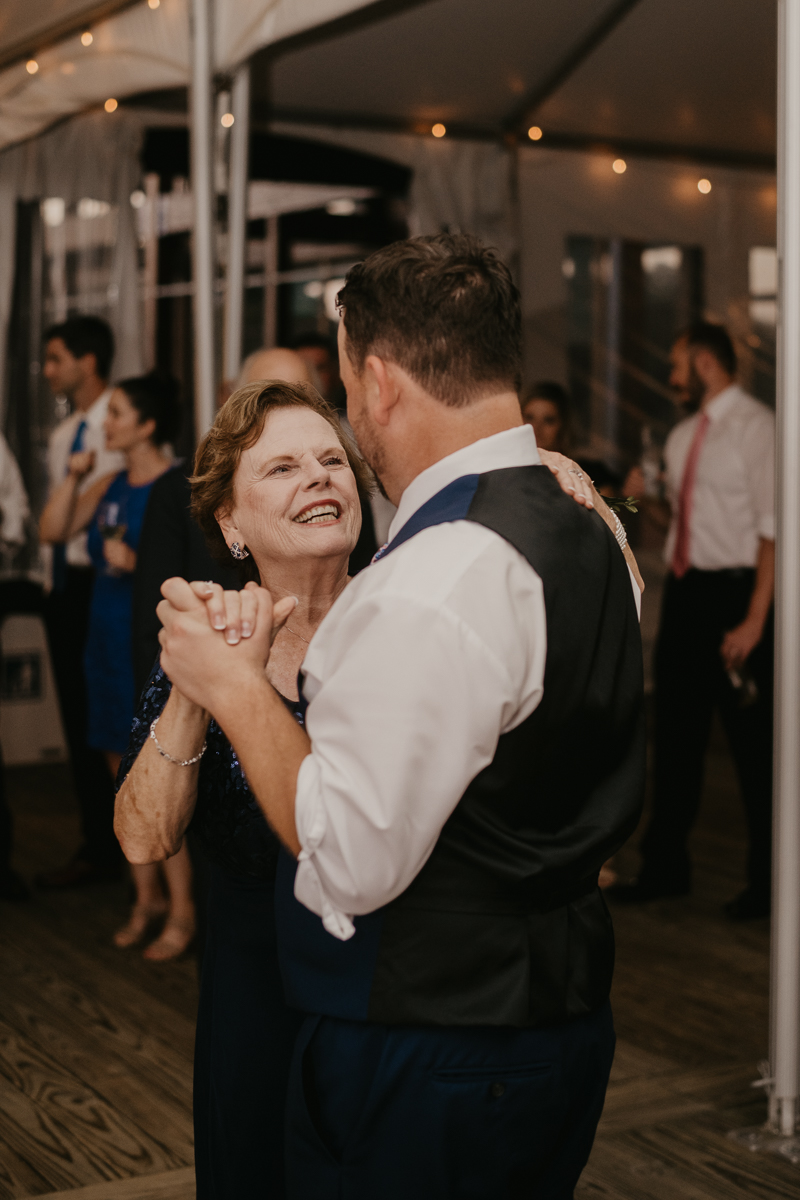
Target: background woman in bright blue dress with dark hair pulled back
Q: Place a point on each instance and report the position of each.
(143, 418)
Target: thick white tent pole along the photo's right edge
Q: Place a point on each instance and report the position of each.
(785, 991)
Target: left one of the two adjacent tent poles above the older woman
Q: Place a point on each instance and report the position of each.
(203, 259)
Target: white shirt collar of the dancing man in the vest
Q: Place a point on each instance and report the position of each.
(512, 448)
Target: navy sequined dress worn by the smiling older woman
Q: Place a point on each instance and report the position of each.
(245, 1031)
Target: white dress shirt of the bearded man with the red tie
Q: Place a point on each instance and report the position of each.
(733, 502)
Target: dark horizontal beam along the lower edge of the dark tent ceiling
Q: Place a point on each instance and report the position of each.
(633, 148)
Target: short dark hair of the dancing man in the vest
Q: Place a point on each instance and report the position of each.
(444, 309)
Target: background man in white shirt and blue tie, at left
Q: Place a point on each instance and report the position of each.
(77, 364)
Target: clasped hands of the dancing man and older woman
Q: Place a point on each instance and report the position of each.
(215, 644)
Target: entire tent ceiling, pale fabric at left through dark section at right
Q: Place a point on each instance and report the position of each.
(648, 76)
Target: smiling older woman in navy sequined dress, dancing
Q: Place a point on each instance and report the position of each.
(276, 485)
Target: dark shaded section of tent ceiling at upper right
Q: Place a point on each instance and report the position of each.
(672, 74)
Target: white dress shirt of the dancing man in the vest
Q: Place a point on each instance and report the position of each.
(419, 668)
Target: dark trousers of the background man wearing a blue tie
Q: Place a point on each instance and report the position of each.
(67, 615)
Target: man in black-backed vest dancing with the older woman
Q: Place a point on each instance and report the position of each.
(474, 753)
